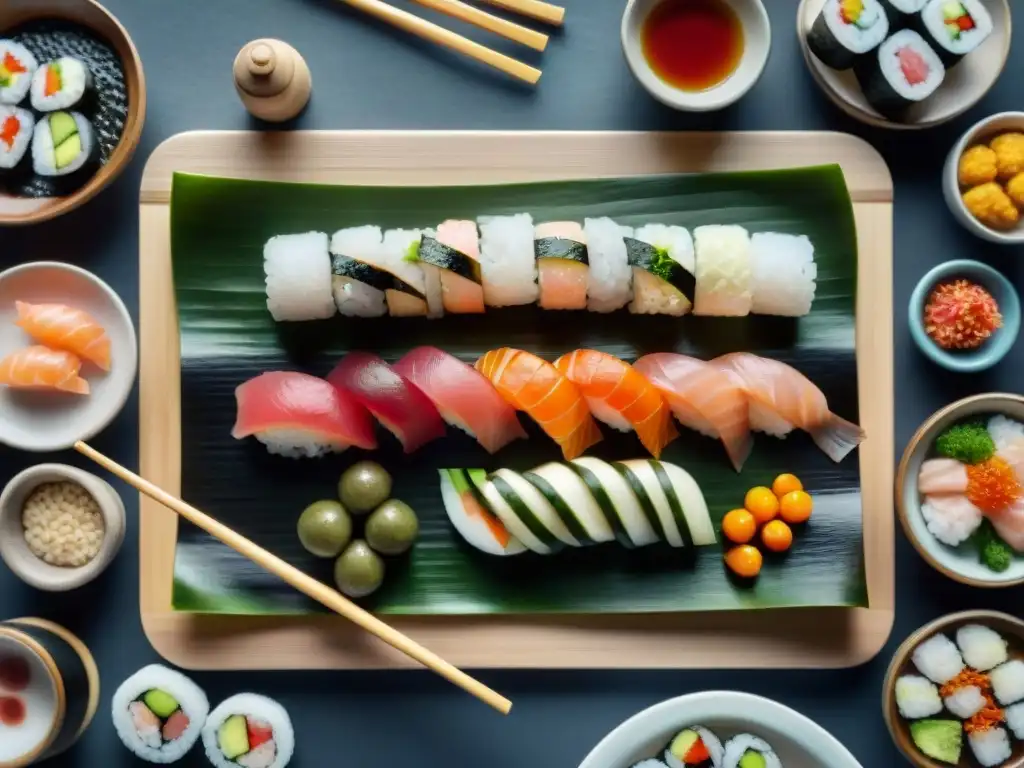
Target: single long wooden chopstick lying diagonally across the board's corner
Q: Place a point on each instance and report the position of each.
(304, 583)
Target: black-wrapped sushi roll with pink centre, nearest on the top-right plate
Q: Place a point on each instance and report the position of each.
(906, 71)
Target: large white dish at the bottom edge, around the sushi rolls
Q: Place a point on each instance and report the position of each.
(800, 743)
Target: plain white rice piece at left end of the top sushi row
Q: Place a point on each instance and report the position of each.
(298, 276)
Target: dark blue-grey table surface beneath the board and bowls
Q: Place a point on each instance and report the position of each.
(367, 75)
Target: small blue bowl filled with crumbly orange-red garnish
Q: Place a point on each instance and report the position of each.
(965, 316)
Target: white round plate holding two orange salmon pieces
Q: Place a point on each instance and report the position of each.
(54, 421)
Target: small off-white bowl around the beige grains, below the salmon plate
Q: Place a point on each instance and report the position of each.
(15, 550)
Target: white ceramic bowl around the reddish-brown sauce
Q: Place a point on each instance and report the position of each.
(757, 45)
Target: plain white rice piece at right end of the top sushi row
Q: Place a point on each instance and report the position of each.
(784, 274)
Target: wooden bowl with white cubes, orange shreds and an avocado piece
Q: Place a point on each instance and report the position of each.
(955, 693)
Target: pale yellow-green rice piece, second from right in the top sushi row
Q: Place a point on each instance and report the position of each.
(722, 272)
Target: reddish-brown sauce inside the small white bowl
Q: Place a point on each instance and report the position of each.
(693, 46)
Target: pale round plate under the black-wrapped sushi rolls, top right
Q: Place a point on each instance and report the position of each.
(964, 88)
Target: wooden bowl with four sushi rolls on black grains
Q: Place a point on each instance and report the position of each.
(72, 106)
